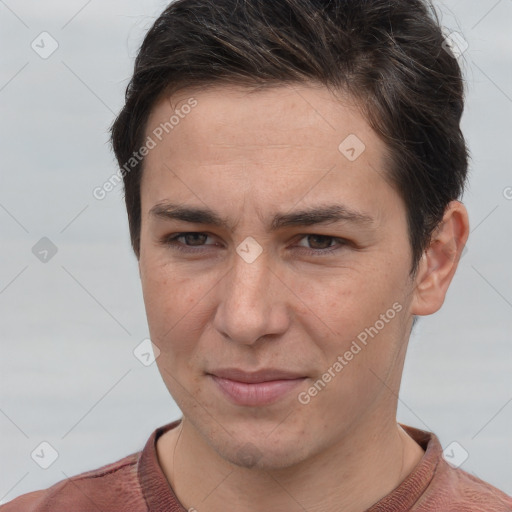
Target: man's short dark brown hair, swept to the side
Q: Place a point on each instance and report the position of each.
(387, 54)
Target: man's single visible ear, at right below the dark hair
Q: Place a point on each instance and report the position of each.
(440, 260)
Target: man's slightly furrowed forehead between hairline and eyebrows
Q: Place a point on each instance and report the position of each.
(277, 144)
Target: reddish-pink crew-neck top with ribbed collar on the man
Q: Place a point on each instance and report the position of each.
(136, 483)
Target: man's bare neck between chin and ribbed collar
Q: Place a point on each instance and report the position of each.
(363, 467)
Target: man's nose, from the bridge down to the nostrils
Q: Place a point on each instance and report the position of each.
(252, 302)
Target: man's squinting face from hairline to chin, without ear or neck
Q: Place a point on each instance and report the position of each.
(294, 298)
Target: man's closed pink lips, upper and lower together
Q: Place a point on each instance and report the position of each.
(255, 388)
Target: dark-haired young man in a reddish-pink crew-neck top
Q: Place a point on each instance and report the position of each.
(292, 175)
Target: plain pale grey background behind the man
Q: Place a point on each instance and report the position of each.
(69, 325)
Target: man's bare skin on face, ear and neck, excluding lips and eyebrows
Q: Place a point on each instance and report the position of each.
(248, 156)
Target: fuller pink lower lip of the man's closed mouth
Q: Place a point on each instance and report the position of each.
(258, 393)
